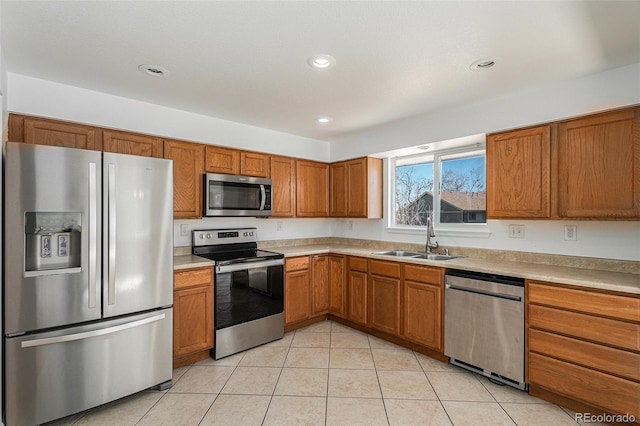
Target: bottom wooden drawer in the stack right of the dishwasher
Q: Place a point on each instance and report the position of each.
(582, 384)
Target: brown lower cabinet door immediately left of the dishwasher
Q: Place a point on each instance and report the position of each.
(422, 314)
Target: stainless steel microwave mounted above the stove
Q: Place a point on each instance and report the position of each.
(229, 195)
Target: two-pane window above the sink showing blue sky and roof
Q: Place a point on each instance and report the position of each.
(451, 184)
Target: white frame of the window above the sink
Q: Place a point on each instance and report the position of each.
(478, 230)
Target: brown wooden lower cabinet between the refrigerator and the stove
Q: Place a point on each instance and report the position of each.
(192, 315)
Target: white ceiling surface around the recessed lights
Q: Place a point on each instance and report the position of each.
(246, 61)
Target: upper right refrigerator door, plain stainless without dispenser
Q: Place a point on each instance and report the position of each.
(137, 233)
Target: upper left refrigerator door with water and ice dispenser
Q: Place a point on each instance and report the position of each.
(52, 236)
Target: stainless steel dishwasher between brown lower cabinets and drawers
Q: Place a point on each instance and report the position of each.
(484, 325)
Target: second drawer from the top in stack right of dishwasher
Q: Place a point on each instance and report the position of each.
(602, 330)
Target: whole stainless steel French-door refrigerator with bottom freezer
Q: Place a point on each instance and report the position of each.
(88, 287)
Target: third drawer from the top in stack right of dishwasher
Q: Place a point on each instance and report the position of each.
(614, 361)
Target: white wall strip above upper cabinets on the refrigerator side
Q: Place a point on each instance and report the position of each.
(49, 99)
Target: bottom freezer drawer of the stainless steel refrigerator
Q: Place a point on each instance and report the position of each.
(59, 373)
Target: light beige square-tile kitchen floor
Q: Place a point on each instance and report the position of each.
(327, 374)
